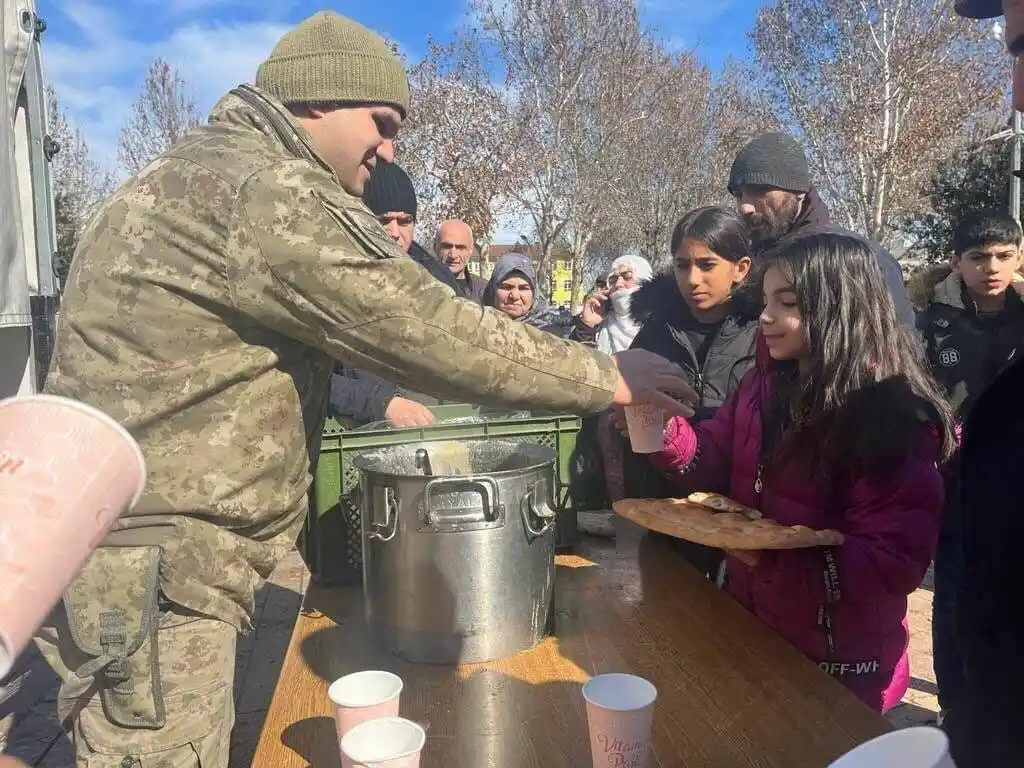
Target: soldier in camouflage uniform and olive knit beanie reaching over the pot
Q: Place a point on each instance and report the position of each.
(205, 309)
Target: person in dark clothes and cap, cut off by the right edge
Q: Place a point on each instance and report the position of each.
(986, 730)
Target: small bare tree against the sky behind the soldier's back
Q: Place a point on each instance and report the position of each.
(164, 112)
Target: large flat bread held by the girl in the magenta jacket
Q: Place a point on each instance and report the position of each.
(685, 520)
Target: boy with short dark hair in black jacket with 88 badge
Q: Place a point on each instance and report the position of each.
(973, 327)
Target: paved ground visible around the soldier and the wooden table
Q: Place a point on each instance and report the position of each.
(29, 726)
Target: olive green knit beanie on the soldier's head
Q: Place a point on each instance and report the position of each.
(329, 59)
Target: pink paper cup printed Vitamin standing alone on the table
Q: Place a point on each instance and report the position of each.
(620, 713)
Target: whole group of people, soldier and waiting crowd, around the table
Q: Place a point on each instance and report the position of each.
(268, 268)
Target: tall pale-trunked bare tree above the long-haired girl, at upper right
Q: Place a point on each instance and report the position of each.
(879, 91)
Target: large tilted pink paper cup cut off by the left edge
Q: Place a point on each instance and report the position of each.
(67, 473)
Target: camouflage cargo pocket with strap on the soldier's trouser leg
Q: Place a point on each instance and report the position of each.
(113, 617)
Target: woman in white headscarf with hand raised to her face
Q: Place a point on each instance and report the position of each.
(607, 322)
